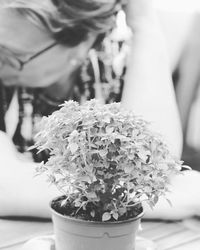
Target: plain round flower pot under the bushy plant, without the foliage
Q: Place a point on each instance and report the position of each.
(76, 234)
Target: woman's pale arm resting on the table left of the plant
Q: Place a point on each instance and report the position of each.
(21, 194)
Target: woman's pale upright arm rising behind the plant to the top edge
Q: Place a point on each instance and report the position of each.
(148, 87)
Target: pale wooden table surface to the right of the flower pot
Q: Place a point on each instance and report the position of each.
(183, 235)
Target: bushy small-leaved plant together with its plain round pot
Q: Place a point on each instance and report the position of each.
(106, 162)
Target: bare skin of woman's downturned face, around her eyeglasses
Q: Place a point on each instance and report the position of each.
(23, 39)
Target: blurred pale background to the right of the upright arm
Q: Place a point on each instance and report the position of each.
(180, 23)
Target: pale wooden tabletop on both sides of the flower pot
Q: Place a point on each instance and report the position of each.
(179, 235)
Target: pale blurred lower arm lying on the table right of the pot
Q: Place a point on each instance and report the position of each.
(184, 197)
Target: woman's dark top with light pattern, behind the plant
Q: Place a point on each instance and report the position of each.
(101, 76)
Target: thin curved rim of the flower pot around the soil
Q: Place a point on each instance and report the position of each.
(140, 215)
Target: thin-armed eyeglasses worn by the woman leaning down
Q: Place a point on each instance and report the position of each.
(8, 57)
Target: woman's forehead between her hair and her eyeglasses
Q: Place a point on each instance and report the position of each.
(19, 32)
